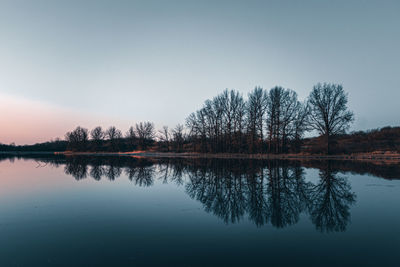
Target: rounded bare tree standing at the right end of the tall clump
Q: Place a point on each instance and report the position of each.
(329, 115)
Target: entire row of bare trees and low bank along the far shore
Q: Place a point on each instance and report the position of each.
(267, 121)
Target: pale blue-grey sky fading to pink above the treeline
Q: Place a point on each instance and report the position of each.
(89, 63)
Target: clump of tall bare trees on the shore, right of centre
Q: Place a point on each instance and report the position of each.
(273, 121)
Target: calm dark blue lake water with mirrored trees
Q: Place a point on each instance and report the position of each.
(100, 211)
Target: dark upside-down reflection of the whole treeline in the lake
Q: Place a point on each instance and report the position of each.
(266, 192)
